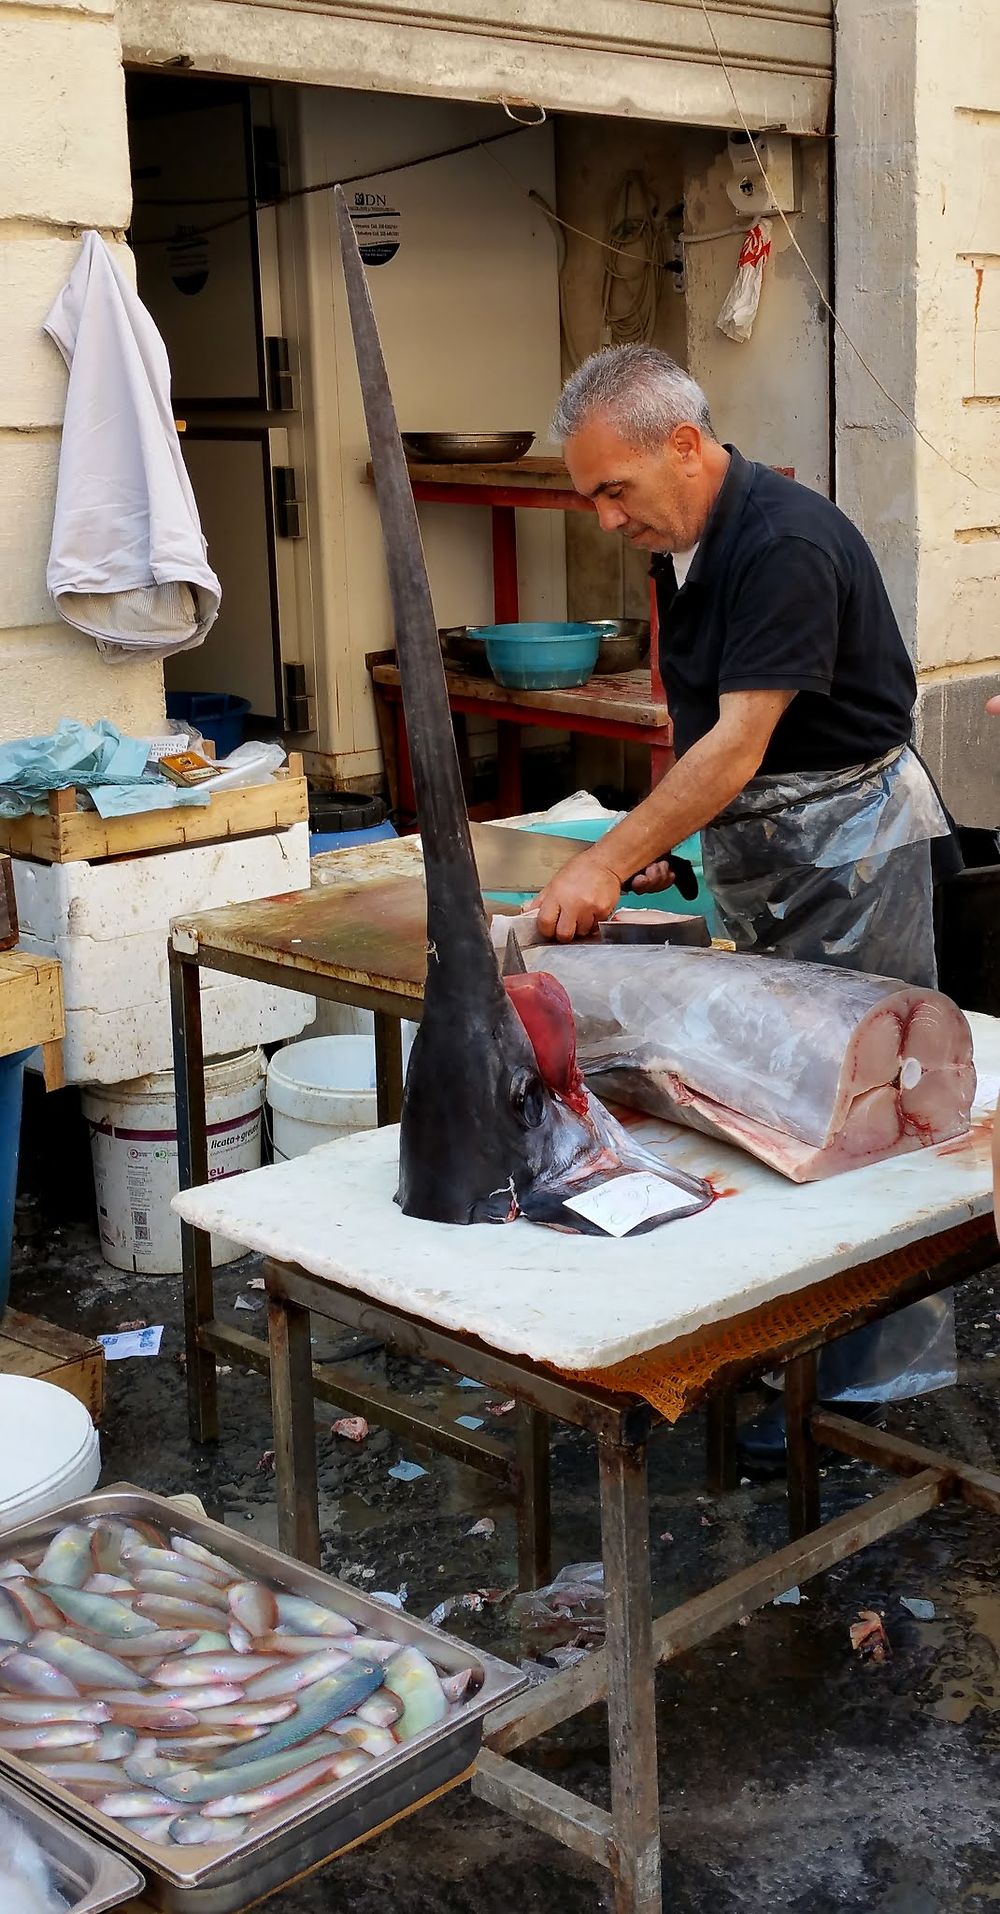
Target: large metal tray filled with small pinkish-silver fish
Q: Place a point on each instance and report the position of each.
(279, 1840)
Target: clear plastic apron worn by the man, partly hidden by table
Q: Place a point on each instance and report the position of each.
(836, 868)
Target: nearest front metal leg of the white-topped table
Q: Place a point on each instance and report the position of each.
(631, 1681)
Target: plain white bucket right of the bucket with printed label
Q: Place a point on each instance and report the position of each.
(321, 1090)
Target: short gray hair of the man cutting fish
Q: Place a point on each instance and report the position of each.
(639, 389)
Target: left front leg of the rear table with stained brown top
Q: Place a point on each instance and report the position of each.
(193, 1149)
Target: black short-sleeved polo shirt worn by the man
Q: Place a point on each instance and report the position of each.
(784, 596)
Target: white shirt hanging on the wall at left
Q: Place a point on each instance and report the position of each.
(127, 564)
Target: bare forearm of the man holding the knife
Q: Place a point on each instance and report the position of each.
(689, 797)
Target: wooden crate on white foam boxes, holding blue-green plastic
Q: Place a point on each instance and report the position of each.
(68, 835)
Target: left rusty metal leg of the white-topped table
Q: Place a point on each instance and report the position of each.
(294, 1431)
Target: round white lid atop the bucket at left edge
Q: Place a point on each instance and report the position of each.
(45, 1438)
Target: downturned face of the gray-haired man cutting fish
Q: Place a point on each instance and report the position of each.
(660, 499)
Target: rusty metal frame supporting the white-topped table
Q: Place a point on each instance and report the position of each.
(625, 1840)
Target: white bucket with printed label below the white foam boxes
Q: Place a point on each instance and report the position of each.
(133, 1136)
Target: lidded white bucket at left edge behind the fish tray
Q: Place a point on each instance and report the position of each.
(49, 1450)
